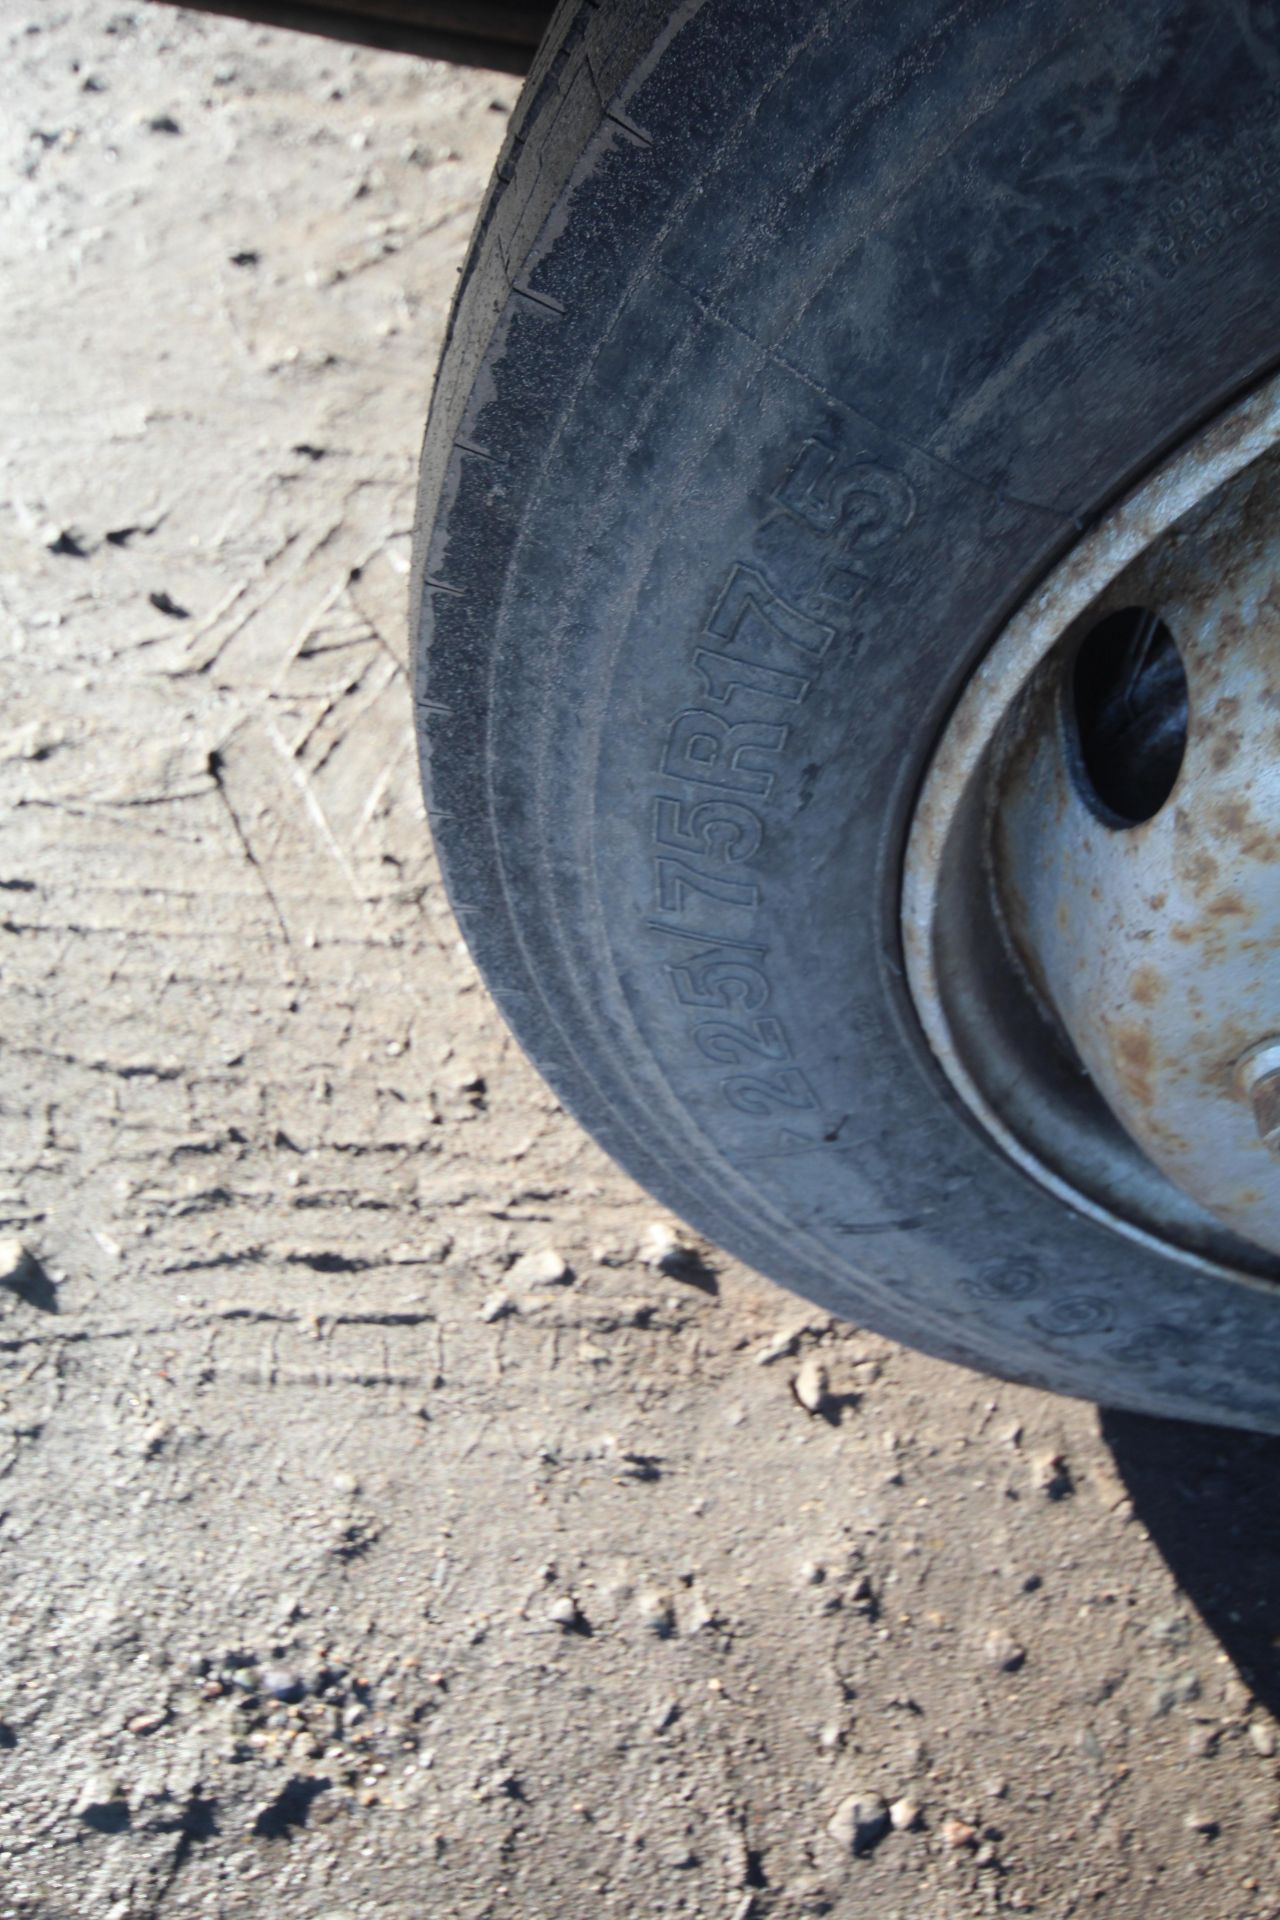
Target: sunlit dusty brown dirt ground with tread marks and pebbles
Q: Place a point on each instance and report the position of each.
(392, 1524)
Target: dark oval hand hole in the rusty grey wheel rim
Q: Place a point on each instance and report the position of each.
(1127, 711)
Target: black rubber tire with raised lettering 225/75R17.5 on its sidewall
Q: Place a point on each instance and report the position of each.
(817, 333)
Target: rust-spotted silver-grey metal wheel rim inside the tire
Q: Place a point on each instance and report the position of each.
(1093, 882)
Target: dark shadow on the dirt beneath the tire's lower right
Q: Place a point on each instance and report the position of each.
(1212, 1499)
